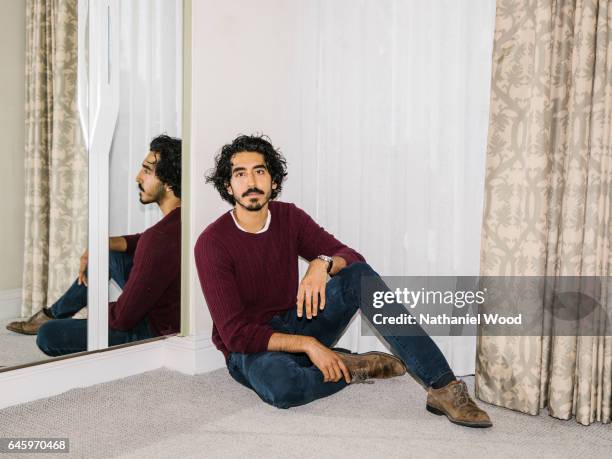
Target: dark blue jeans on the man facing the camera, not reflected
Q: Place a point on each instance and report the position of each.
(285, 380)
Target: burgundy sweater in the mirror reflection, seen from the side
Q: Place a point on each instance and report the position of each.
(154, 285)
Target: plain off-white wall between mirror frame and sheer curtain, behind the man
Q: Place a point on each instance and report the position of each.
(245, 78)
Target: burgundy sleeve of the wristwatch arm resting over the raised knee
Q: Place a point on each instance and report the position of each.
(313, 241)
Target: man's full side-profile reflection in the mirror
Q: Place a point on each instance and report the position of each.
(146, 266)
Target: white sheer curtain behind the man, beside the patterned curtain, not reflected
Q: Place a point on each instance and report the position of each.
(390, 156)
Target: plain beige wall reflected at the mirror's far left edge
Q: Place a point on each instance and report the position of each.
(12, 126)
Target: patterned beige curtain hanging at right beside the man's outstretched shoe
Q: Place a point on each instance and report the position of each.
(547, 197)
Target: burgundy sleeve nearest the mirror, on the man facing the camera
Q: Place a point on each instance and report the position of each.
(218, 281)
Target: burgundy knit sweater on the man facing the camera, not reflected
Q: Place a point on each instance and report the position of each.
(248, 278)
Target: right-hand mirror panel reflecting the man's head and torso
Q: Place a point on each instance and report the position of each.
(150, 108)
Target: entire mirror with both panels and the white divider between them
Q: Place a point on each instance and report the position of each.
(135, 49)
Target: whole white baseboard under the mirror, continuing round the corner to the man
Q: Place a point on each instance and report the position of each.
(190, 355)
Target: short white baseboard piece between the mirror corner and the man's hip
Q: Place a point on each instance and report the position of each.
(192, 355)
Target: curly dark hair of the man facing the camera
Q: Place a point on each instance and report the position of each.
(221, 174)
